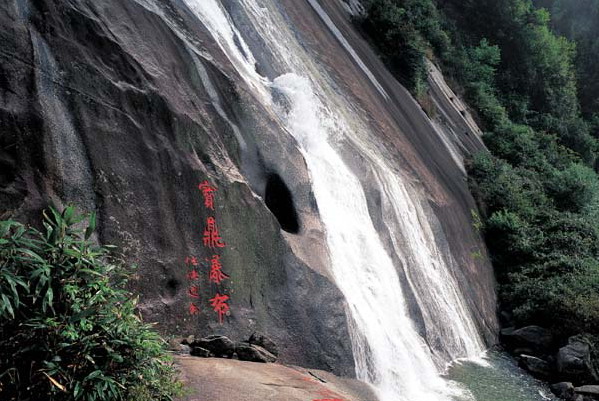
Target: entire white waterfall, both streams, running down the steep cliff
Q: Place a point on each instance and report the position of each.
(388, 350)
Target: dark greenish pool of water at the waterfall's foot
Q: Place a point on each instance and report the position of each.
(498, 379)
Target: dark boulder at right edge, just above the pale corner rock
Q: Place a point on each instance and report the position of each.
(574, 362)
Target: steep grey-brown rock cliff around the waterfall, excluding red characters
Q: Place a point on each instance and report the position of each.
(125, 106)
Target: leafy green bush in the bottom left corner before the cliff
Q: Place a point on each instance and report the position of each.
(68, 328)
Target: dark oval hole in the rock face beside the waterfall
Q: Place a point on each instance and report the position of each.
(279, 200)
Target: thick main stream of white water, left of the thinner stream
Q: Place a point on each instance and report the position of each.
(394, 358)
